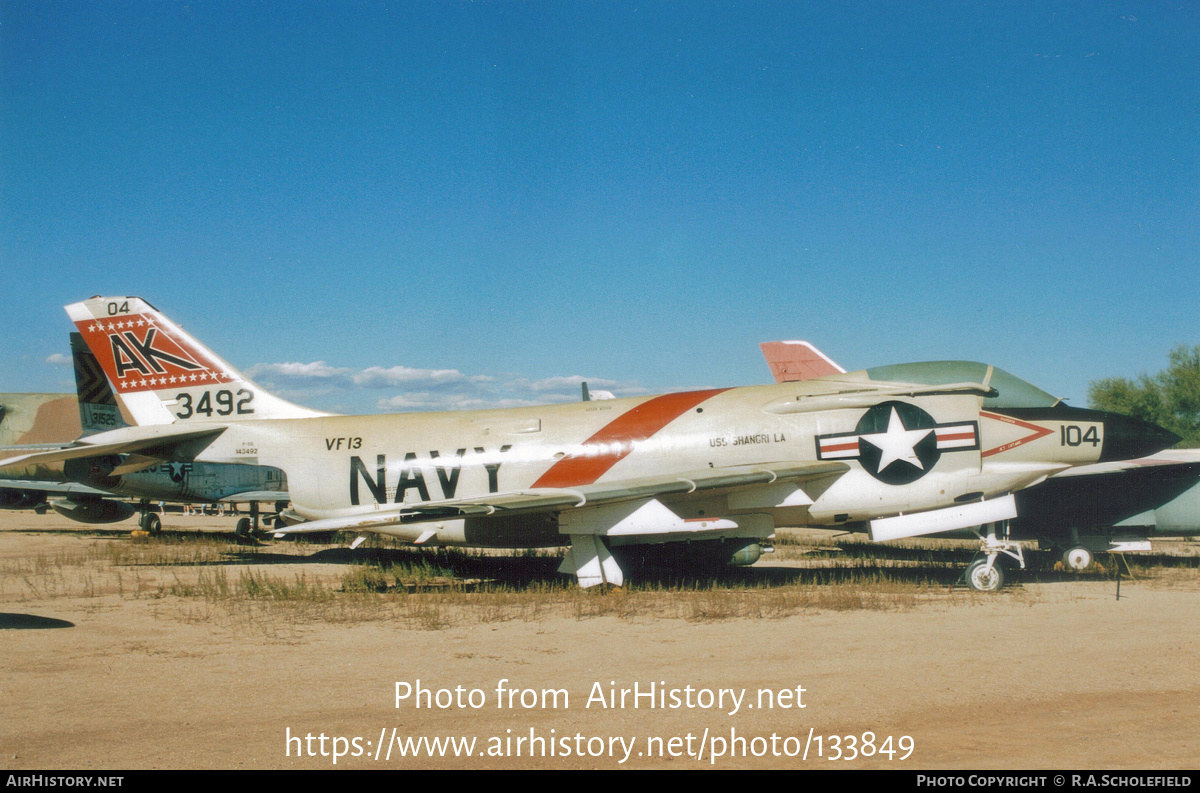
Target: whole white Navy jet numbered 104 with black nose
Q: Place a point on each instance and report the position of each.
(899, 450)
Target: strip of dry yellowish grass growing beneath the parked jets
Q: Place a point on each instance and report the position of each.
(283, 588)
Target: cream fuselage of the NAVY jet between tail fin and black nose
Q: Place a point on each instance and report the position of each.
(910, 455)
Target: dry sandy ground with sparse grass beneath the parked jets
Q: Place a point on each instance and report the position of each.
(201, 653)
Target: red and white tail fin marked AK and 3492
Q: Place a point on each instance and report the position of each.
(163, 374)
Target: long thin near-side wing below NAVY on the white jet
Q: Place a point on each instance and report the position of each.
(559, 500)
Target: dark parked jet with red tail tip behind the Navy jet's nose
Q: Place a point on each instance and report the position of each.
(1112, 507)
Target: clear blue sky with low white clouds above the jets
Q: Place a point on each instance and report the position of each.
(415, 206)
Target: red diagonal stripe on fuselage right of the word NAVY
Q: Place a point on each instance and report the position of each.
(616, 440)
